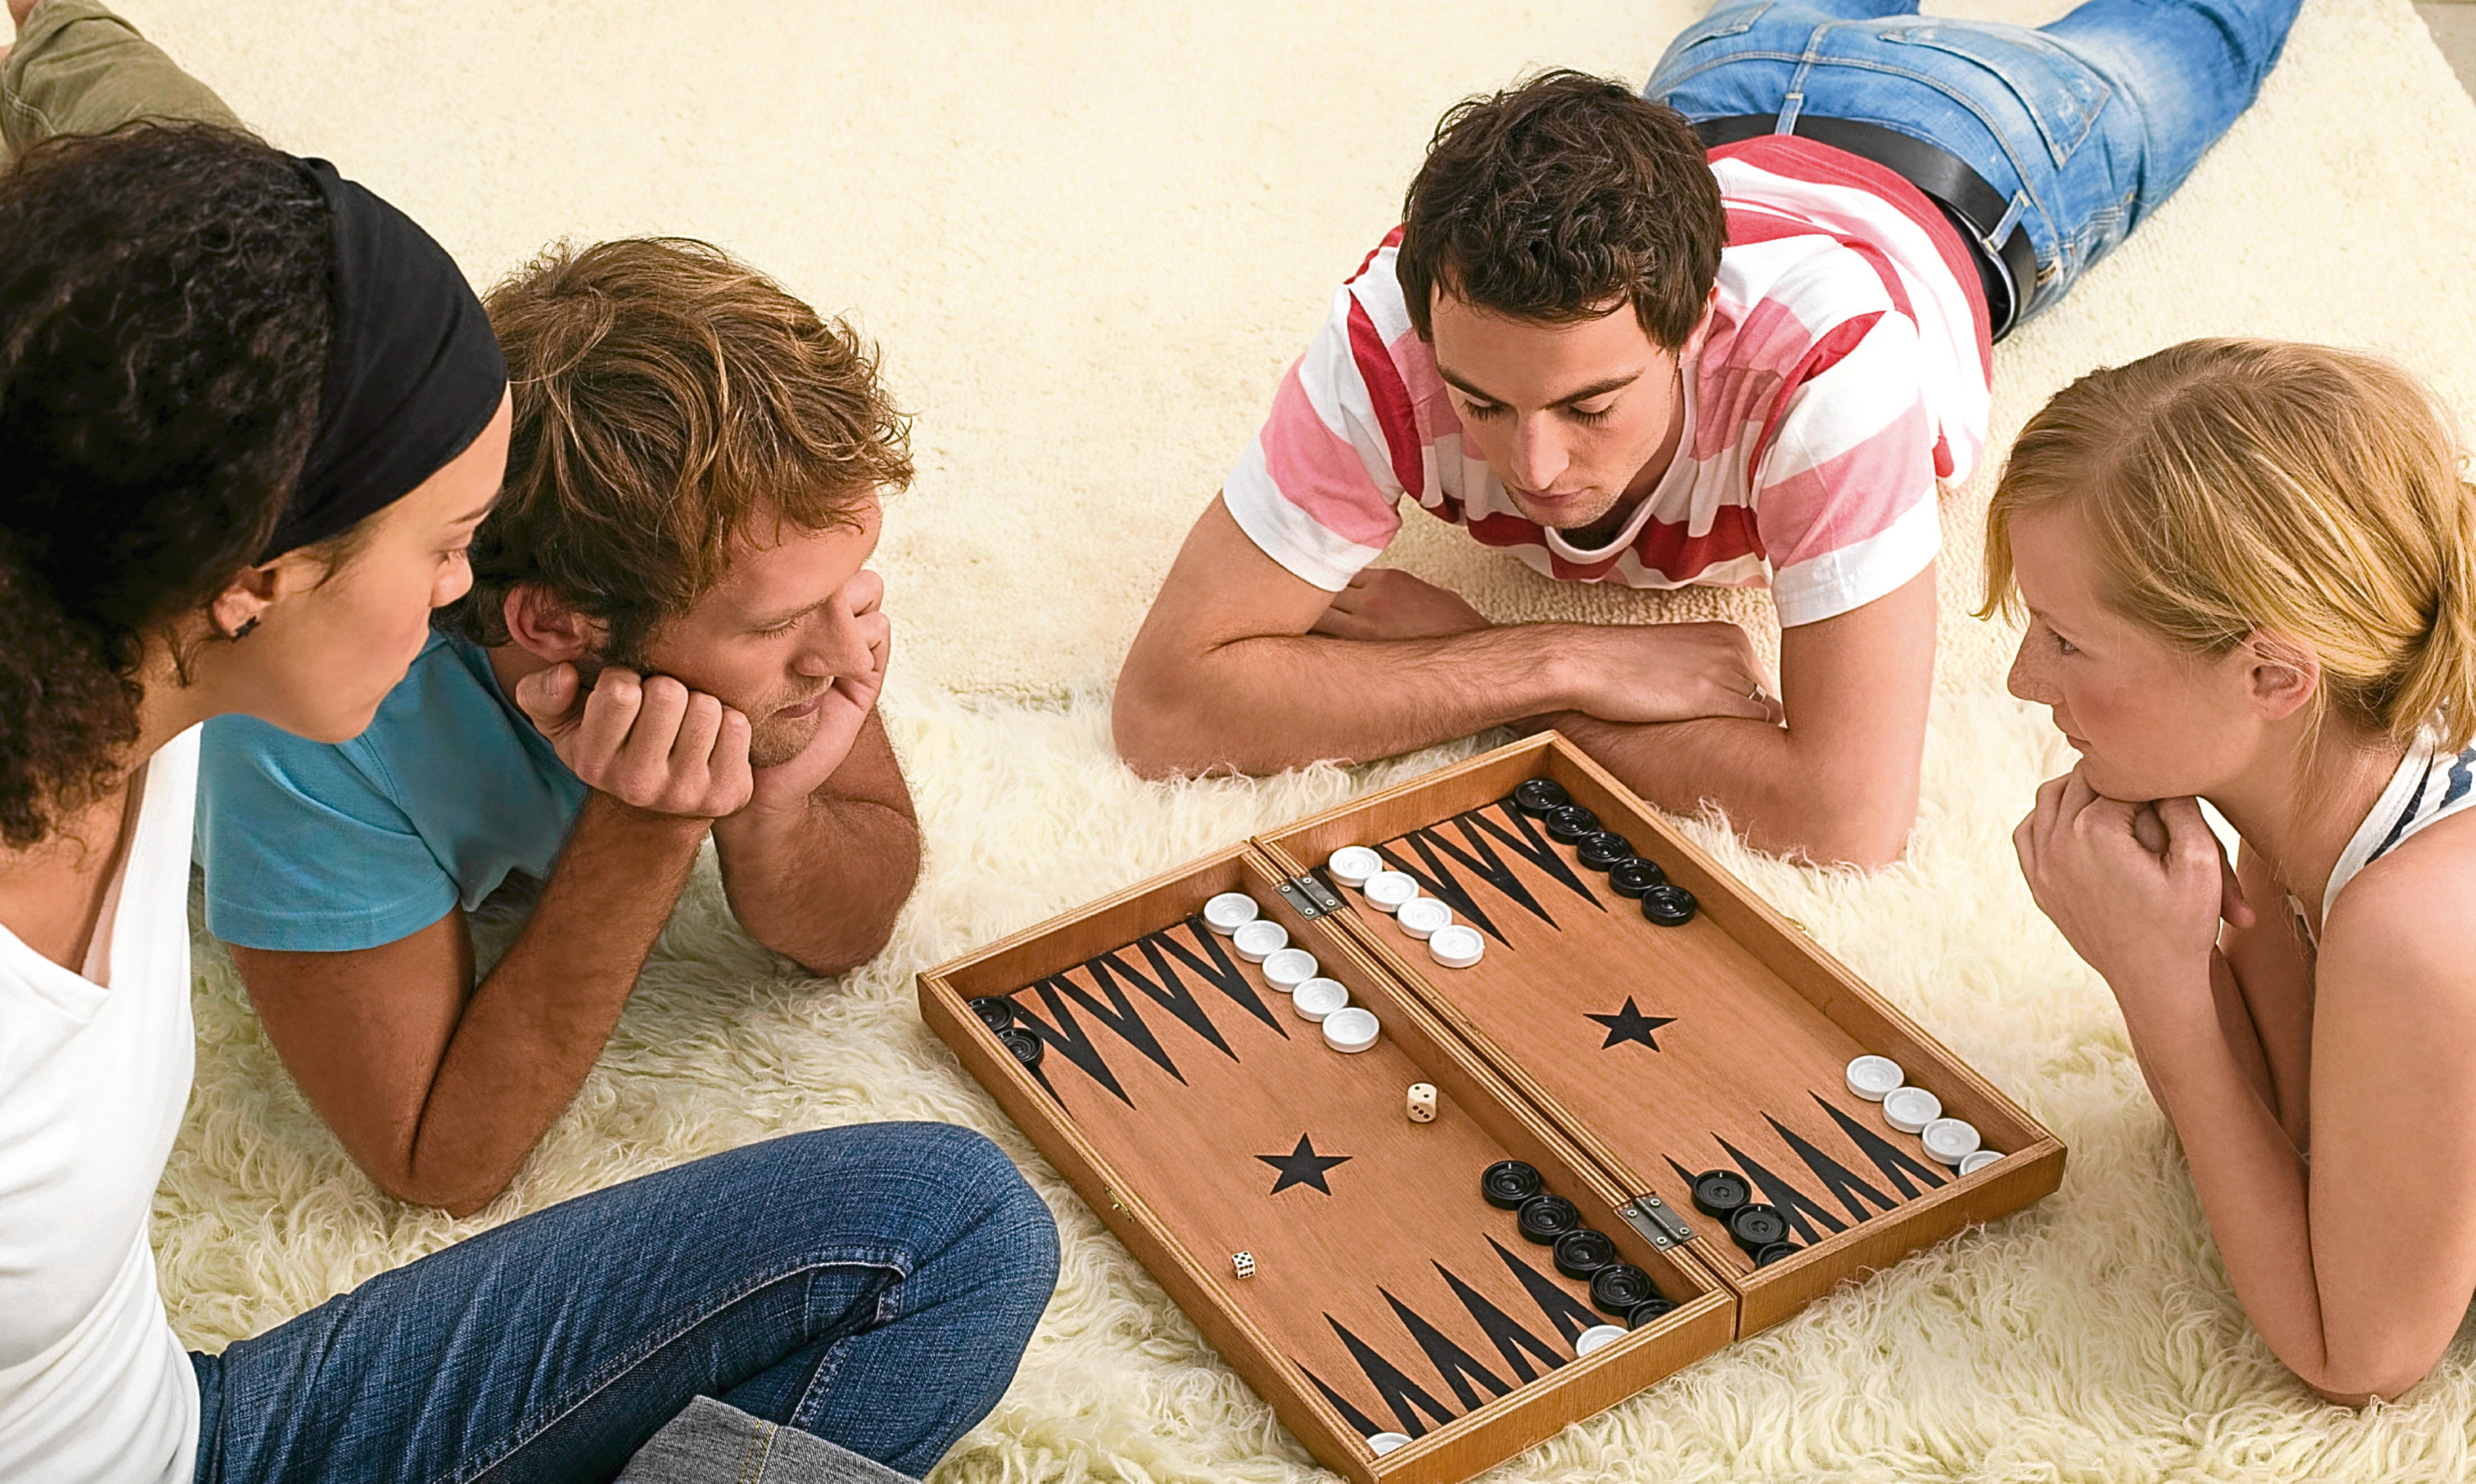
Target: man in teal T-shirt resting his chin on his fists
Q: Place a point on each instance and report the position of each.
(672, 635)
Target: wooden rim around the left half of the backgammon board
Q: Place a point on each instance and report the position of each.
(1450, 1453)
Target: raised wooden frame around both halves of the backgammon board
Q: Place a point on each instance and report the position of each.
(1474, 1074)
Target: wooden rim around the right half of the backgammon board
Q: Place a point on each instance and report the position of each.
(2034, 1158)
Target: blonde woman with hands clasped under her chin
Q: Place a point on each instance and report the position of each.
(2249, 576)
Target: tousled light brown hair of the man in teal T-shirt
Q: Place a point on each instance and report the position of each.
(665, 398)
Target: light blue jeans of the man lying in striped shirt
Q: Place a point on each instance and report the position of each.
(2084, 125)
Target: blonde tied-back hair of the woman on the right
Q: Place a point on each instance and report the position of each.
(2299, 492)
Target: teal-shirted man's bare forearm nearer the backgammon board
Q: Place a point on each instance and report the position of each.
(823, 888)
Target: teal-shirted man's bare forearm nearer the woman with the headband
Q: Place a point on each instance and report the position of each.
(536, 1027)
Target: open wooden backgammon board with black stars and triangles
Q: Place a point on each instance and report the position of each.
(1205, 1119)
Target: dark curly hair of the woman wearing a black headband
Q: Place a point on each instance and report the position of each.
(165, 316)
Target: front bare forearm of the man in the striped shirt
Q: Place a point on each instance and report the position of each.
(1276, 702)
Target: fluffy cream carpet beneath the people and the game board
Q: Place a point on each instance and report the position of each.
(1091, 237)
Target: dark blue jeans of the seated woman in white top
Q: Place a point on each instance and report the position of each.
(868, 1285)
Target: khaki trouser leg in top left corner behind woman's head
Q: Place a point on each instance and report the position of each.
(83, 71)
